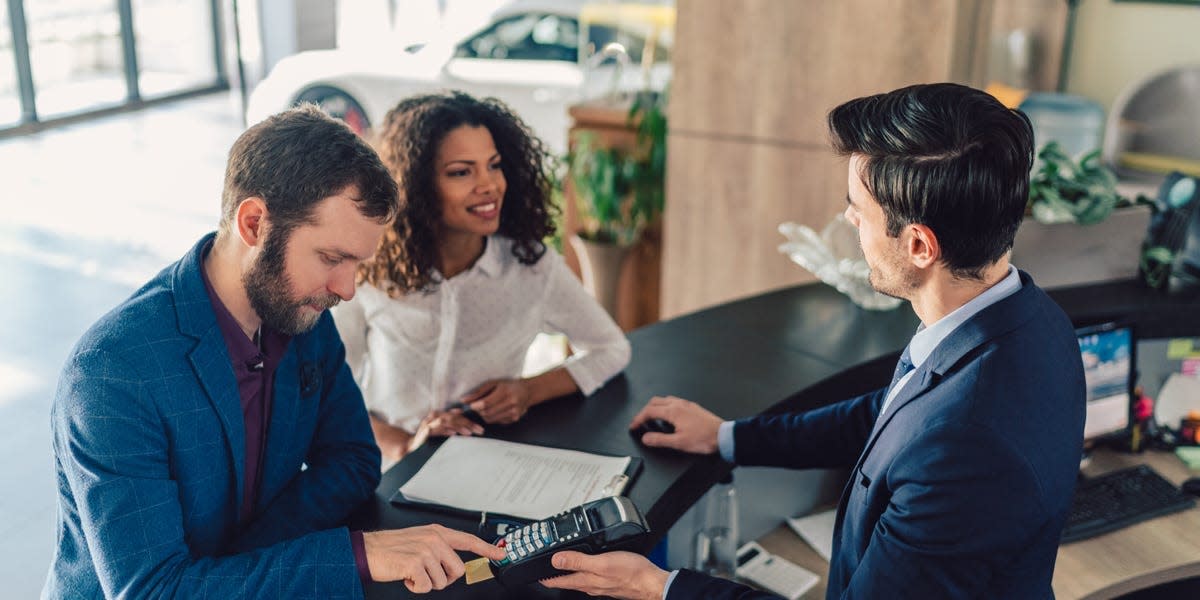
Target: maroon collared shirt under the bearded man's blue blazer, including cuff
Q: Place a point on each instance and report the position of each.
(254, 365)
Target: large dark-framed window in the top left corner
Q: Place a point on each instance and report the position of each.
(63, 58)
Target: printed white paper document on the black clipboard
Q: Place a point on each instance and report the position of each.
(521, 481)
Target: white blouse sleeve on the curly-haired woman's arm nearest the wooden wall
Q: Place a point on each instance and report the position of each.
(602, 350)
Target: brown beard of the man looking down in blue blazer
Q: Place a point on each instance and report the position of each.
(268, 289)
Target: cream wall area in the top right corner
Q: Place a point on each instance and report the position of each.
(1121, 44)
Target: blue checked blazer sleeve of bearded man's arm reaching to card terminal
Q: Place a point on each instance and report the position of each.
(115, 454)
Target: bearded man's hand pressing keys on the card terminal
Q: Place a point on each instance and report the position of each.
(424, 557)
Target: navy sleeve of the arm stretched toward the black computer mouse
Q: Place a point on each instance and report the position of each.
(826, 437)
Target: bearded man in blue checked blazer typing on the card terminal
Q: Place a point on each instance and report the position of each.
(208, 437)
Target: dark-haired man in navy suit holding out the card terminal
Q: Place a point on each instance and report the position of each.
(964, 467)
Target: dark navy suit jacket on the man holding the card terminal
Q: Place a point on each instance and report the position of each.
(963, 489)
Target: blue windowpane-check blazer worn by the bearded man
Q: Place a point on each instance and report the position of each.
(149, 448)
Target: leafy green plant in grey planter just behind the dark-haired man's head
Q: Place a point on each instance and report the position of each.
(1078, 227)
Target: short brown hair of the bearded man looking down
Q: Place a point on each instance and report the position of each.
(297, 159)
